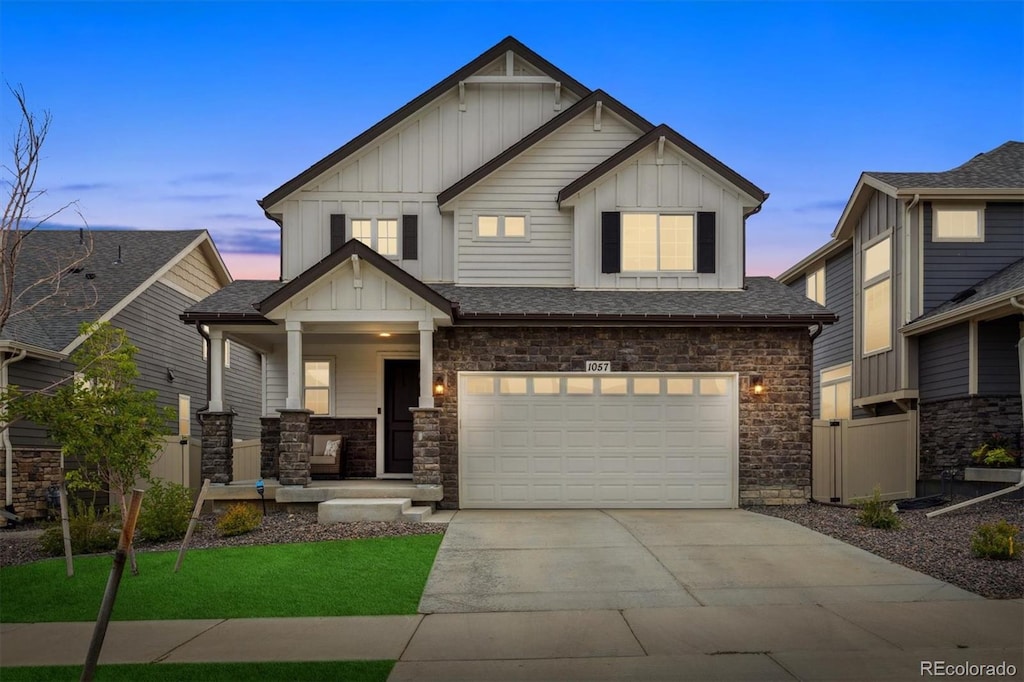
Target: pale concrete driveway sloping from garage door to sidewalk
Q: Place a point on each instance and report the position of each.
(528, 561)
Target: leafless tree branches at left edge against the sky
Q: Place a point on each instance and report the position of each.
(19, 295)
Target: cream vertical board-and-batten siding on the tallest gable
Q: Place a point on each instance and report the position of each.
(403, 172)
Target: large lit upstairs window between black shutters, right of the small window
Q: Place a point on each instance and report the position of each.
(655, 242)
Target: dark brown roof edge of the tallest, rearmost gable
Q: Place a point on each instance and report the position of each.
(414, 106)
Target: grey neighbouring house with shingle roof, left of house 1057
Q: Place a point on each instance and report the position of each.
(140, 281)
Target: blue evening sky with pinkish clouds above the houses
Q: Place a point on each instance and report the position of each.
(183, 115)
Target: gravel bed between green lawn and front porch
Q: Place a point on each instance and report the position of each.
(22, 546)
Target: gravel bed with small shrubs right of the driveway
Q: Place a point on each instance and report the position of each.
(940, 547)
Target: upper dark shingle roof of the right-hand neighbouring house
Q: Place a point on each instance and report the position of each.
(1002, 168)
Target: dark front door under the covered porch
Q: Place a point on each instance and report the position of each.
(402, 392)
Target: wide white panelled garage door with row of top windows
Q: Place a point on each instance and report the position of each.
(552, 441)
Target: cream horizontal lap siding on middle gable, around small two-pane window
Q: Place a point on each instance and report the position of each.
(529, 186)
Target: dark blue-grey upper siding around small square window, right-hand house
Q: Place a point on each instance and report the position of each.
(954, 267)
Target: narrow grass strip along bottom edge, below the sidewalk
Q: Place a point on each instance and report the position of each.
(351, 671)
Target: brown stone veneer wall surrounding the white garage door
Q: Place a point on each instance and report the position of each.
(775, 430)
